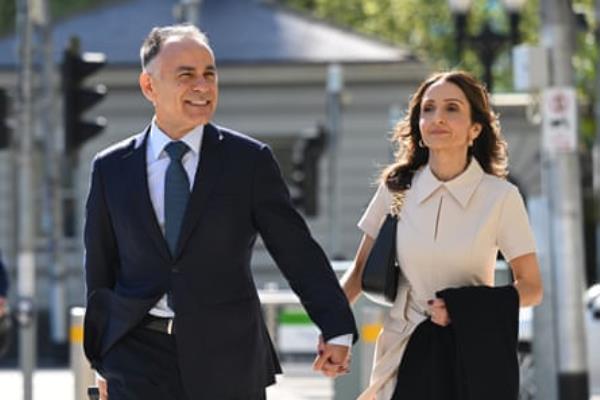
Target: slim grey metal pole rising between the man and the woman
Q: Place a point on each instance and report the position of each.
(335, 84)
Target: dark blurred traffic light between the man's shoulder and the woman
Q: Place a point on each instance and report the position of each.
(305, 173)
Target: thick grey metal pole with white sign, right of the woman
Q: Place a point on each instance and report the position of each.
(561, 184)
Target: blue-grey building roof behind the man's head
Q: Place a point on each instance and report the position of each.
(241, 31)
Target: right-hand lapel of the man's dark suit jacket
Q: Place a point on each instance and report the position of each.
(209, 170)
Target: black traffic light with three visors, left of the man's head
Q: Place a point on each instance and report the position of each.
(78, 99)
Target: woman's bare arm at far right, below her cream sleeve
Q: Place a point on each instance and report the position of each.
(527, 279)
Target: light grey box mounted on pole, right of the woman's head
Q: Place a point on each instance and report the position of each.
(530, 68)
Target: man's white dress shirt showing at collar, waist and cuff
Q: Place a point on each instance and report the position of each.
(157, 161)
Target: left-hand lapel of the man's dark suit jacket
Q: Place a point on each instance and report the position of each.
(137, 181)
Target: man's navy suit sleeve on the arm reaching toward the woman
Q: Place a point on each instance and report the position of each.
(299, 257)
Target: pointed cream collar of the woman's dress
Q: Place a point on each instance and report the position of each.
(461, 187)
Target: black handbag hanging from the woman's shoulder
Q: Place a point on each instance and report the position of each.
(382, 271)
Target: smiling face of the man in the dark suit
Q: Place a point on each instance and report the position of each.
(181, 83)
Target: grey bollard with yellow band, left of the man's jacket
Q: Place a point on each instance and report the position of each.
(82, 372)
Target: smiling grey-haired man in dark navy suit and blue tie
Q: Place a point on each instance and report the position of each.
(171, 220)
